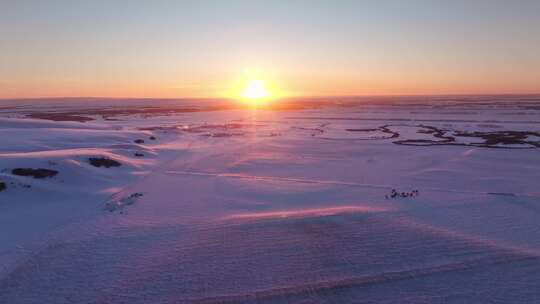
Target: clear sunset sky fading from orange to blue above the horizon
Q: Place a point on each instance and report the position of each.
(304, 47)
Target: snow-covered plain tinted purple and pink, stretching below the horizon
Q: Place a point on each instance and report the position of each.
(293, 204)
